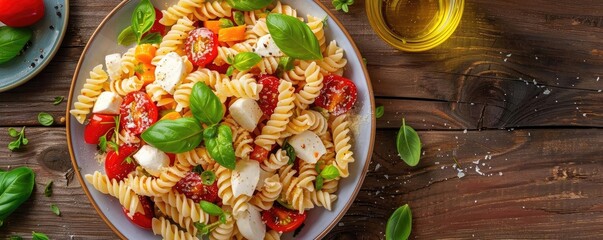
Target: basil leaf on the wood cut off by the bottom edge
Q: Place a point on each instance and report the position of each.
(399, 224)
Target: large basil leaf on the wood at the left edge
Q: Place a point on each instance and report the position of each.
(15, 188)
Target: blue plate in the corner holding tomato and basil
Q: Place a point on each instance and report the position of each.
(47, 37)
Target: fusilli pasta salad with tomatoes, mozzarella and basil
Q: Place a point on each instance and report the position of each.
(223, 118)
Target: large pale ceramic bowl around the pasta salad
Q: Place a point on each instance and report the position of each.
(319, 221)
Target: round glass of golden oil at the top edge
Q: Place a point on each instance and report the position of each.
(414, 25)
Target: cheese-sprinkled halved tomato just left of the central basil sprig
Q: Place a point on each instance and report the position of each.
(138, 112)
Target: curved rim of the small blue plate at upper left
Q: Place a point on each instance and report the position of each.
(54, 50)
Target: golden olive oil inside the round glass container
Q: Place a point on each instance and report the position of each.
(413, 18)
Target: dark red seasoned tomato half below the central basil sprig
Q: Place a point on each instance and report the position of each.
(192, 187)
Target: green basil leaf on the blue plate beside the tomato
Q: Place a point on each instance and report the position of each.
(12, 40)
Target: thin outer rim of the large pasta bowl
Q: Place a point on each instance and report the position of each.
(345, 207)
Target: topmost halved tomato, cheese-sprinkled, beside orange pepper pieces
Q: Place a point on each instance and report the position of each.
(201, 46)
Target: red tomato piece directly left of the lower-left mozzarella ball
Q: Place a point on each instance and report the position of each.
(116, 166)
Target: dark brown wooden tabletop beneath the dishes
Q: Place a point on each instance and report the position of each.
(516, 88)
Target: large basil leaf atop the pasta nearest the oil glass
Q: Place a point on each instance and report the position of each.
(293, 37)
